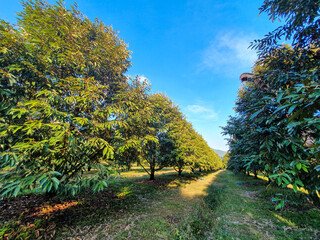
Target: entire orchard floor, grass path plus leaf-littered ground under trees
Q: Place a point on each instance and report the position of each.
(209, 205)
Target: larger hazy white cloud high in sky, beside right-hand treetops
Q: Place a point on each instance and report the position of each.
(229, 52)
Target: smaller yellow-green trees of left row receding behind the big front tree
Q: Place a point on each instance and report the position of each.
(156, 134)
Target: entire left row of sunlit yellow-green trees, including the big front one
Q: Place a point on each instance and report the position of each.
(67, 107)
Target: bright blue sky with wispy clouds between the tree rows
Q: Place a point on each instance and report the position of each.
(194, 51)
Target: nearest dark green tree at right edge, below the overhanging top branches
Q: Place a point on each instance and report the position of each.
(293, 101)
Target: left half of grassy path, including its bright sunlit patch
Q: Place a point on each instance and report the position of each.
(176, 210)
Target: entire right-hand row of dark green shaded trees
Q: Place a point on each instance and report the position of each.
(276, 130)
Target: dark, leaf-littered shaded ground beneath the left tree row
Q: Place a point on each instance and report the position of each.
(33, 215)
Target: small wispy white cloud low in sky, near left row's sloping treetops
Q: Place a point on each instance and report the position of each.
(200, 112)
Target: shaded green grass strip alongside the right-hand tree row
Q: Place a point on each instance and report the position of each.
(246, 211)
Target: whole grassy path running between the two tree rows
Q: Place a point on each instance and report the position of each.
(218, 205)
